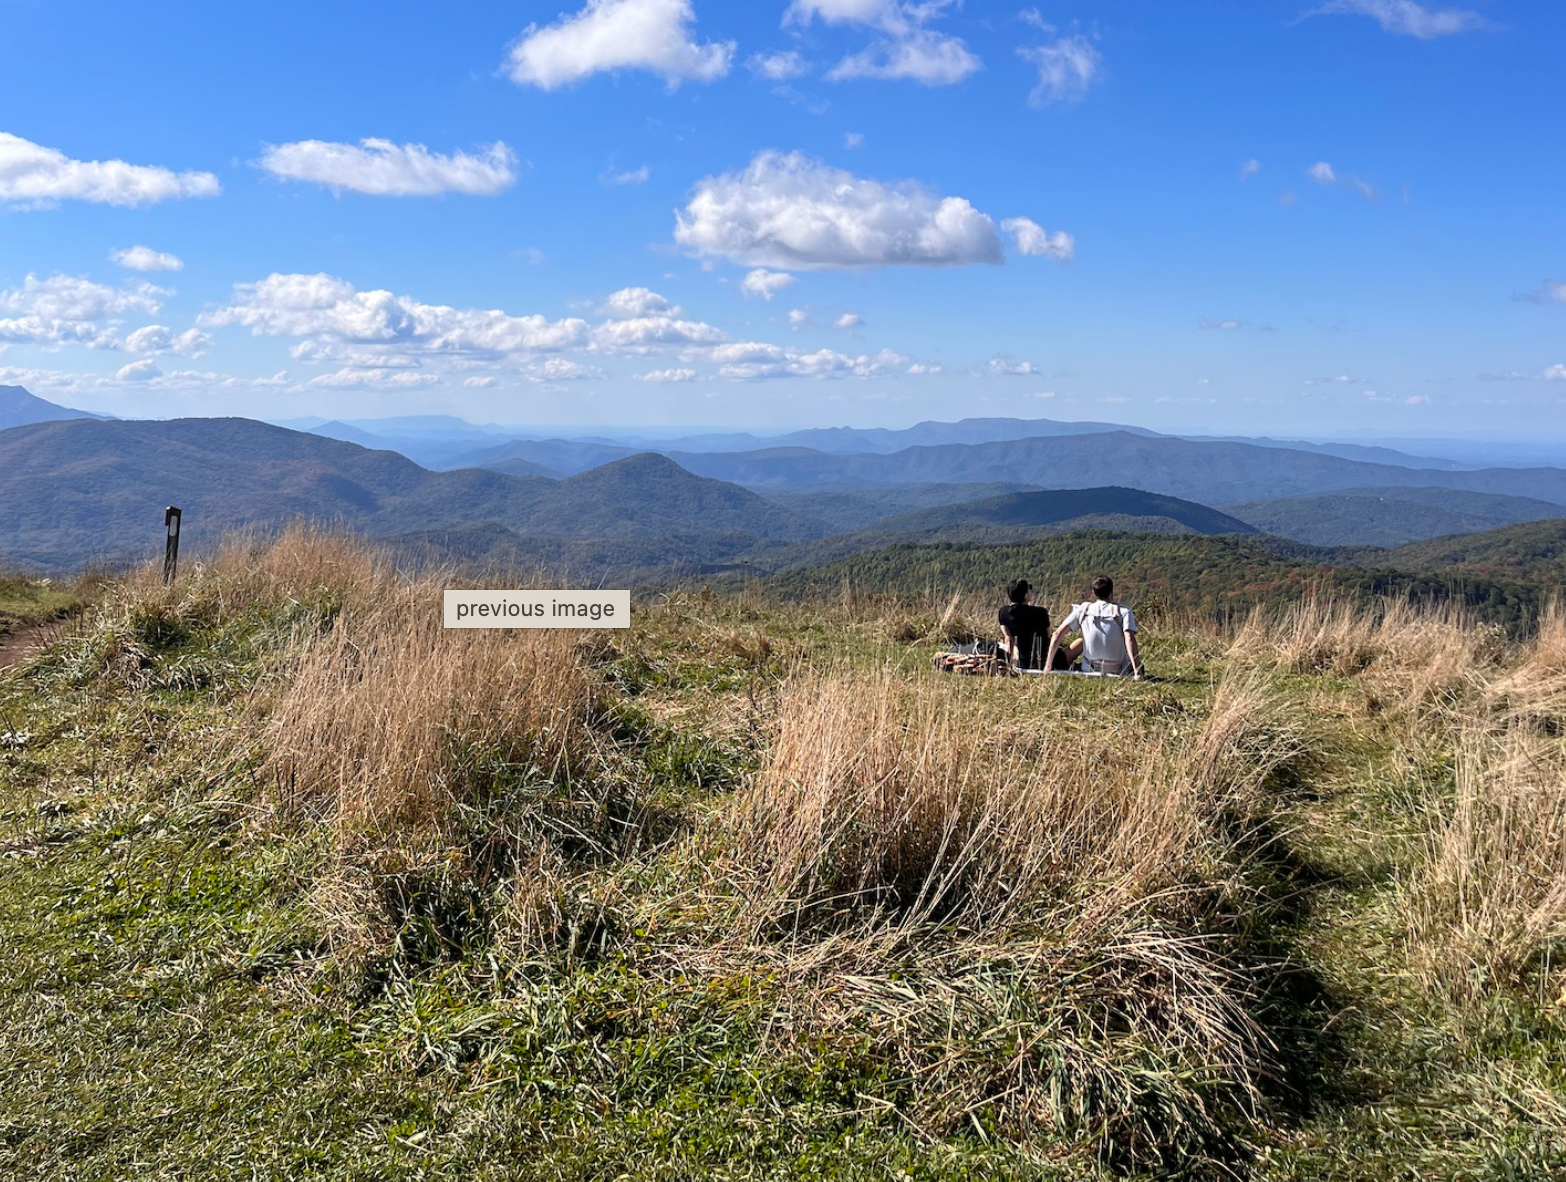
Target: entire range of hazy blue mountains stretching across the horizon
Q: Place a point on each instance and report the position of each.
(82, 489)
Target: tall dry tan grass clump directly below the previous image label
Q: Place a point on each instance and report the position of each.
(392, 719)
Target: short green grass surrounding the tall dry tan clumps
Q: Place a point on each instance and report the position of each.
(178, 1001)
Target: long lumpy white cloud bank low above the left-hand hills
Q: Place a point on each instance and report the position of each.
(331, 311)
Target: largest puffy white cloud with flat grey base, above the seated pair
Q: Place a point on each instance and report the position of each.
(796, 212)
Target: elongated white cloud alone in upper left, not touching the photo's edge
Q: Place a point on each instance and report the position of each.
(386, 170)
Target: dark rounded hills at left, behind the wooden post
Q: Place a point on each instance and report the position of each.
(92, 491)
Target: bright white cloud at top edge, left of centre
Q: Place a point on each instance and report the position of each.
(612, 35)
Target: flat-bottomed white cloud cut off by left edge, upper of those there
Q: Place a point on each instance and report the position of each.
(37, 176)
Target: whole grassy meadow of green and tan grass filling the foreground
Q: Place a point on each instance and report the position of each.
(295, 884)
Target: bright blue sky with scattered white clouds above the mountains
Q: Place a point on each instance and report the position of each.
(1249, 217)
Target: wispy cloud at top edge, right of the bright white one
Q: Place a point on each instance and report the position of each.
(904, 46)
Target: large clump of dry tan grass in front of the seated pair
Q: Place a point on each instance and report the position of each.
(907, 798)
